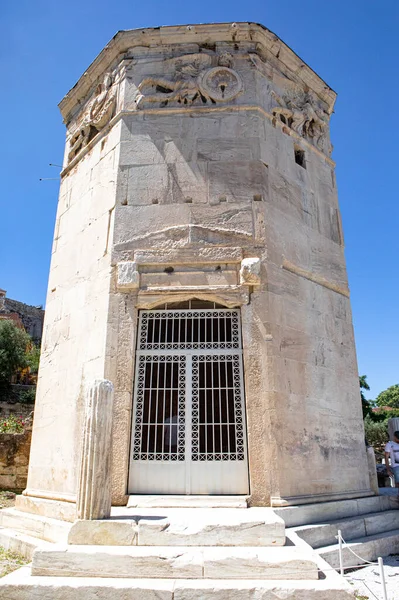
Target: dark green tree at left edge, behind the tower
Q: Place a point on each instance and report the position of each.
(14, 343)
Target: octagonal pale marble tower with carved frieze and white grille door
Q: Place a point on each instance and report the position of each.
(198, 264)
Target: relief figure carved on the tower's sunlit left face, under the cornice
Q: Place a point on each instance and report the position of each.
(97, 114)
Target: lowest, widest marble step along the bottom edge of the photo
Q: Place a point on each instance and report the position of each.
(20, 585)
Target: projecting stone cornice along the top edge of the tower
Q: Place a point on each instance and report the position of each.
(123, 41)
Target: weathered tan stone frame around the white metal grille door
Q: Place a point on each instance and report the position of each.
(120, 368)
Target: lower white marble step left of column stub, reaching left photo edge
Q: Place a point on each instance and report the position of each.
(51, 530)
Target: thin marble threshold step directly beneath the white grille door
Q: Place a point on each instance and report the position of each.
(147, 501)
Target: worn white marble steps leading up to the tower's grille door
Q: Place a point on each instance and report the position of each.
(167, 554)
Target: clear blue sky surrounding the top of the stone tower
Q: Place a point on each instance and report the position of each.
(353, 45)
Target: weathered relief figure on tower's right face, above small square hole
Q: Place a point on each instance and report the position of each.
(300, 112)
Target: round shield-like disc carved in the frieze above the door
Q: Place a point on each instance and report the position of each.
(221, 84)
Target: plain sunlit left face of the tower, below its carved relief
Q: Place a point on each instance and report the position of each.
(75, 325)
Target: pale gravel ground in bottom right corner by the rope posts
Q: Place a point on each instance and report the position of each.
(367, 581)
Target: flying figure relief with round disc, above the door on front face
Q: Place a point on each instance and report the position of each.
(193, 81)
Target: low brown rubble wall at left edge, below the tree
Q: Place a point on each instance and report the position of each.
(14, 460)
